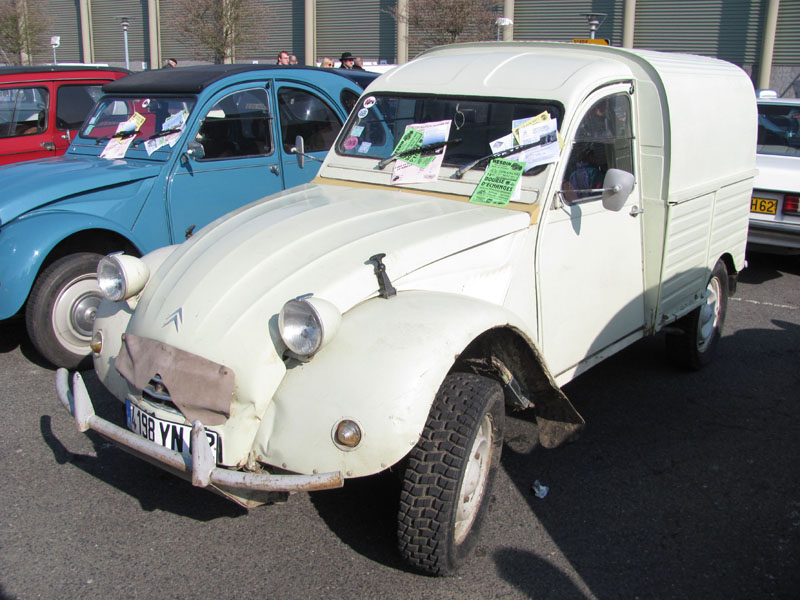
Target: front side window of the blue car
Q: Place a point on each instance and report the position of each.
(237, 126)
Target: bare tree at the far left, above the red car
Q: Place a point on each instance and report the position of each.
(23, 26)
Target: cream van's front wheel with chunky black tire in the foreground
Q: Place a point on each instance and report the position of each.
(464, 429)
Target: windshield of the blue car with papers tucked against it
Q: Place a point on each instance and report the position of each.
(144, 119)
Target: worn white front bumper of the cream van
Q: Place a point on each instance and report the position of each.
(201, 470)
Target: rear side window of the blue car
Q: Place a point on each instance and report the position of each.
(303, 113)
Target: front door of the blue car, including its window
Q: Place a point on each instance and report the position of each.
(233, 161)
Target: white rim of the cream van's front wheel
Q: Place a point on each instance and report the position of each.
(476, 475)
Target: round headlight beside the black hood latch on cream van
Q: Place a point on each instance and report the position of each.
(306, 324)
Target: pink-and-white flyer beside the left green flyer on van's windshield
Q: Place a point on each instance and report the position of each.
(415, 168)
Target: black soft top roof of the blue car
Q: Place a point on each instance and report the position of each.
(193, 80)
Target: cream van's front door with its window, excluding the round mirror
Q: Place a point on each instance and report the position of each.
(590, 259)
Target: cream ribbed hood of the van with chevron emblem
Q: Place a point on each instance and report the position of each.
(237, 273)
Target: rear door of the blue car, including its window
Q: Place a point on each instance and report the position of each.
(305, 112)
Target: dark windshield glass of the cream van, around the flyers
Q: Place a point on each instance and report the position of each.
(476, 125)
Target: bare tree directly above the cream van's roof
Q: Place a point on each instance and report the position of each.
(437, 22)
